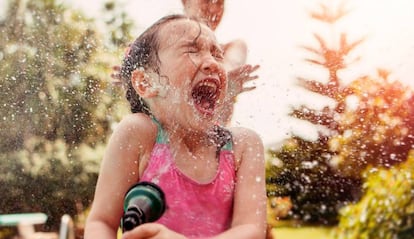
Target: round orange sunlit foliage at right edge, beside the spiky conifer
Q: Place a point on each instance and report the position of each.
(378, 131)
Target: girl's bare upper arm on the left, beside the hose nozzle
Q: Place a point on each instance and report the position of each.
(119, 171)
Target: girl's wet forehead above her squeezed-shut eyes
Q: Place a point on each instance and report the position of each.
(184, 30)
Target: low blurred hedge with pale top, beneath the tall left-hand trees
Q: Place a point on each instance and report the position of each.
(49, 177)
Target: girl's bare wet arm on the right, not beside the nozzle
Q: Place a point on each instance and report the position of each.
(249, 212)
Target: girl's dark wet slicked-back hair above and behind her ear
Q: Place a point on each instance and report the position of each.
(143, 53)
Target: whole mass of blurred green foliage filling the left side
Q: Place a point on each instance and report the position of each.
(58, 108)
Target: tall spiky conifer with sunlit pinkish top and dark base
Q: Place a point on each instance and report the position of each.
(304, 172)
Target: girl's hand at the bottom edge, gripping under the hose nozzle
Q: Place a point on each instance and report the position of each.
(152, 231)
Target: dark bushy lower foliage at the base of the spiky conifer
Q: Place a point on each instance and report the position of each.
(301, 170)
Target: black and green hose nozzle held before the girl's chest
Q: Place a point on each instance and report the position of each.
(144, 202)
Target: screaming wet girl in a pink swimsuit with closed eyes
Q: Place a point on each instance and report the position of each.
(213, 178)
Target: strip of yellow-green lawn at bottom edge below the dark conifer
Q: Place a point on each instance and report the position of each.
(302, 232)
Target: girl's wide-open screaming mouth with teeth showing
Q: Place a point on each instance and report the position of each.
(205, 95)
